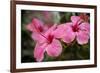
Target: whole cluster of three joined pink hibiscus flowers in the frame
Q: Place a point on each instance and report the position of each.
(48, 38)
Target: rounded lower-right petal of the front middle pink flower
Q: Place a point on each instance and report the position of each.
(54, 49)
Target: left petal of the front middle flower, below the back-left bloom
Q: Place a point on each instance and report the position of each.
(38, 37)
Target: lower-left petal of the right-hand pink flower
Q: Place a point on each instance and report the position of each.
(69, 36)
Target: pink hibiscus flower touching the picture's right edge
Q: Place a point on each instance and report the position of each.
(76, 29)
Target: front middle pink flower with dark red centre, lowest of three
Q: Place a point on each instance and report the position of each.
(48, 44)
